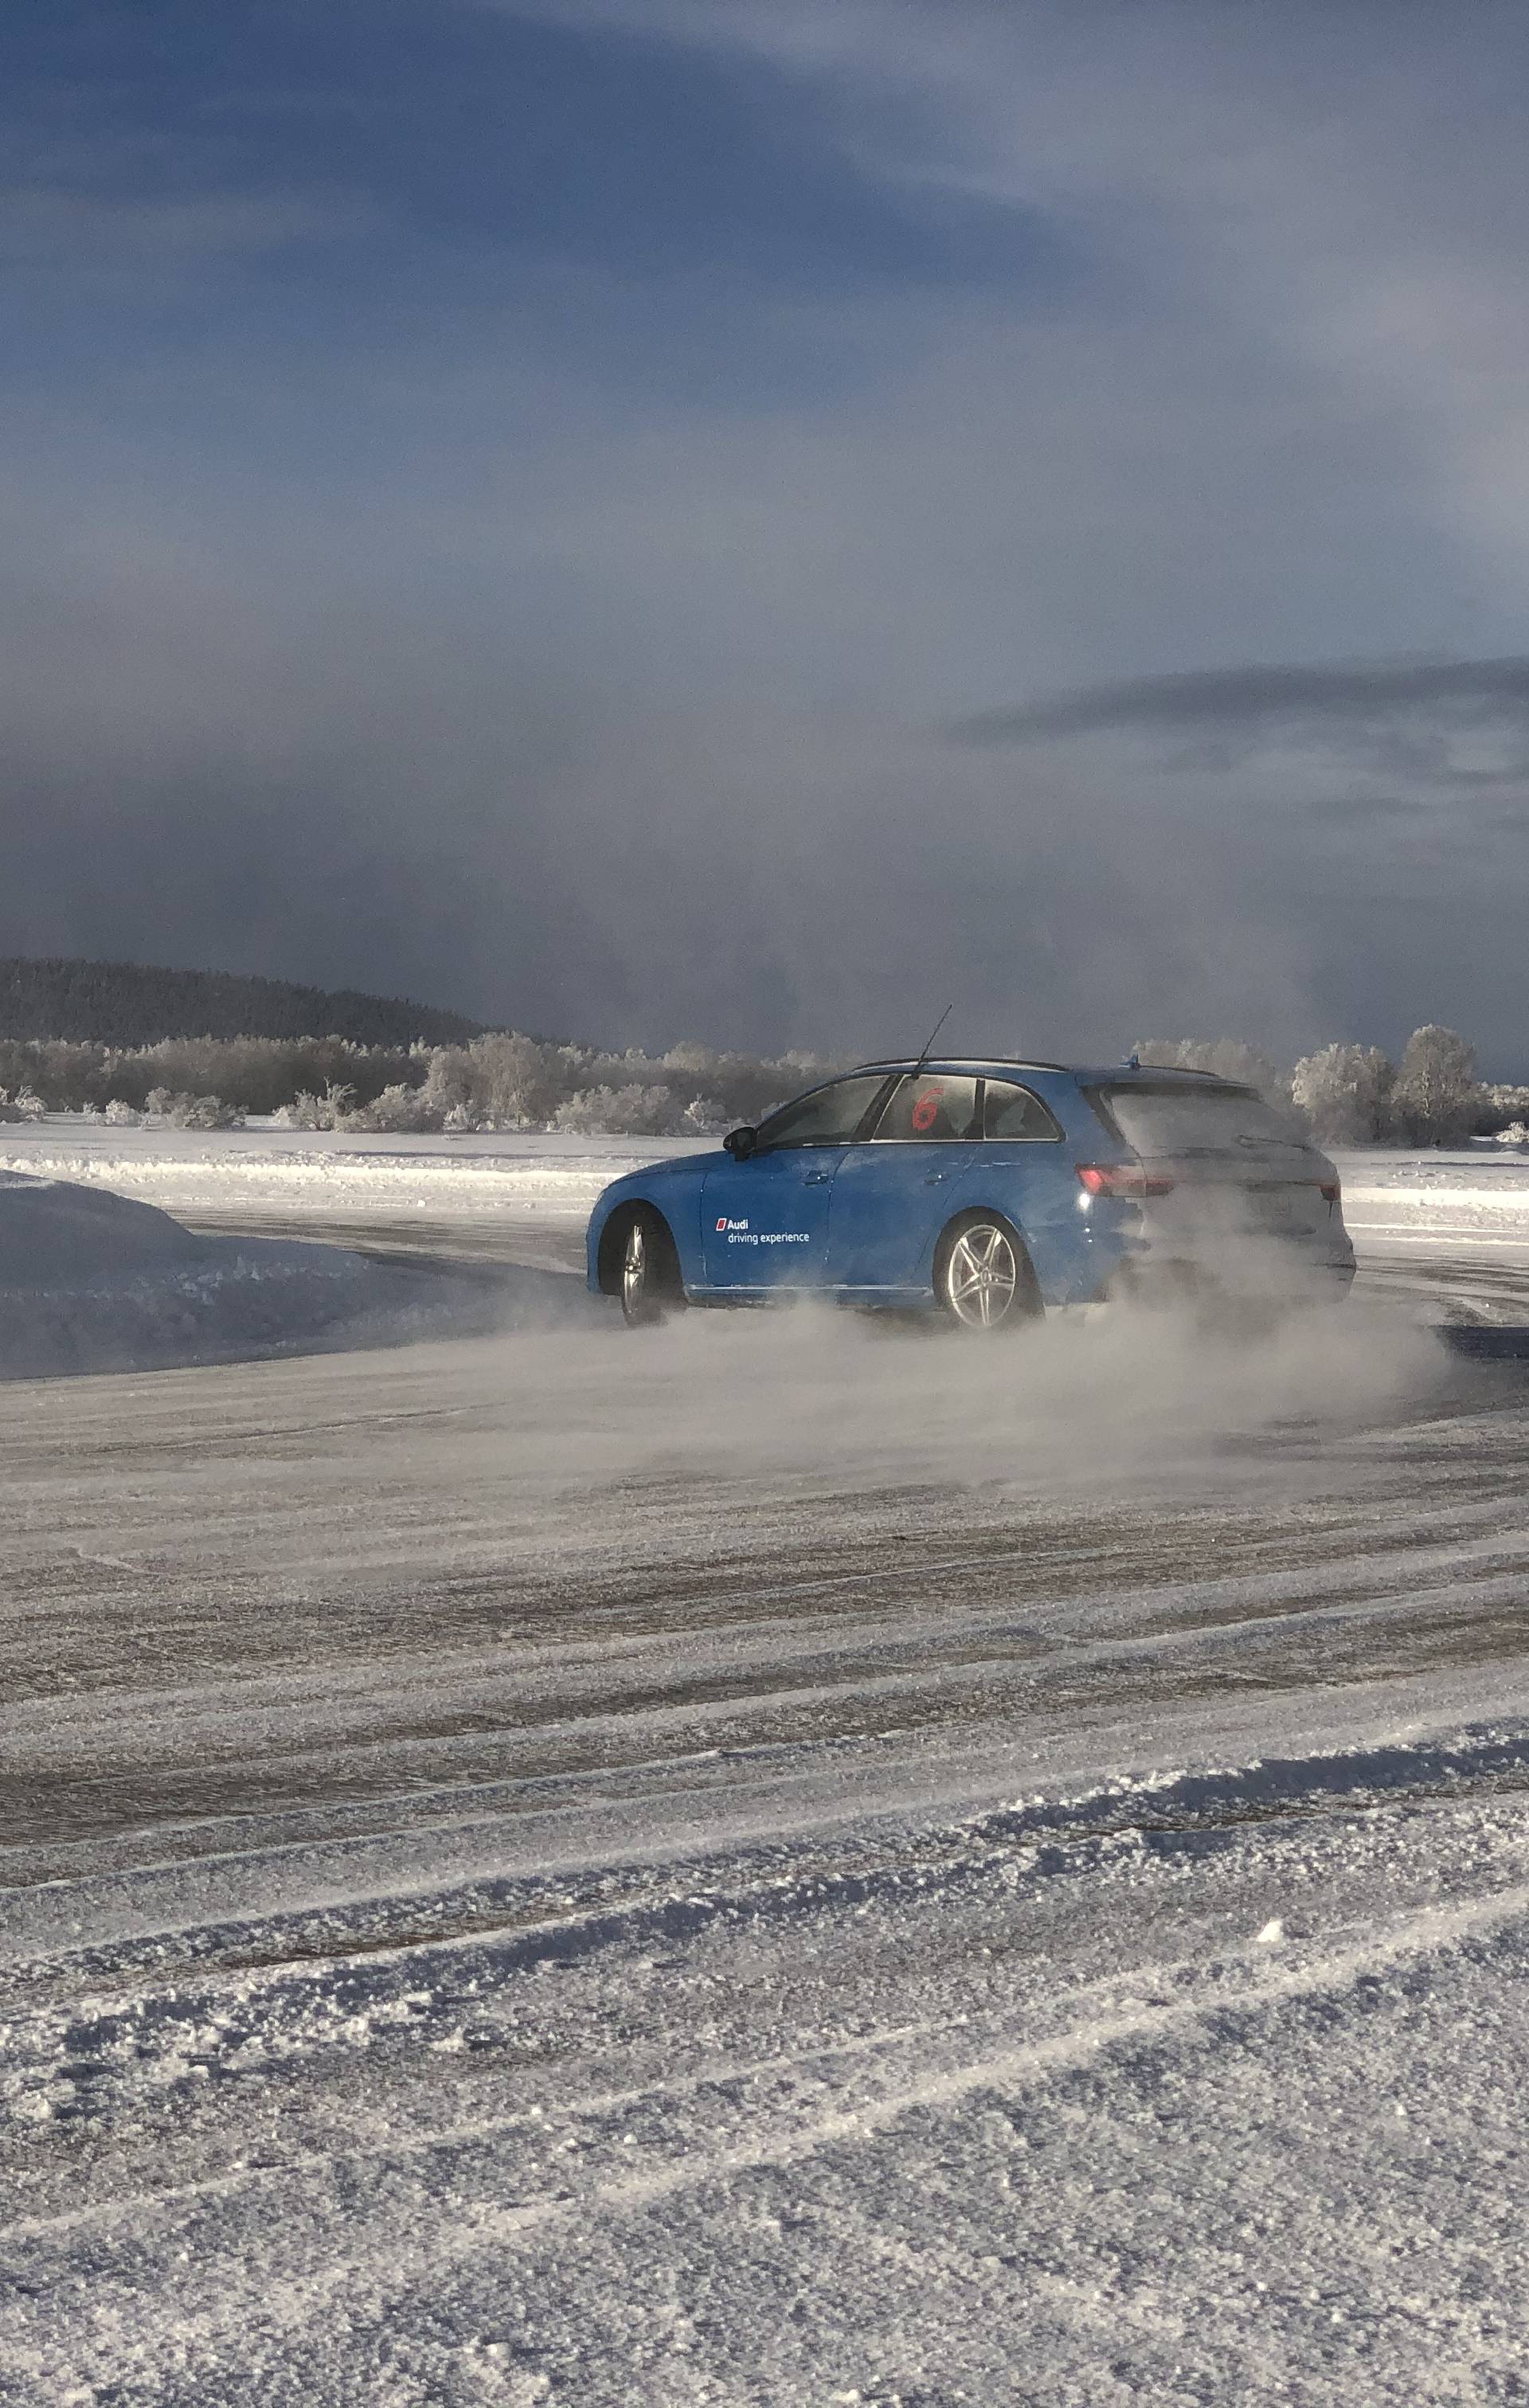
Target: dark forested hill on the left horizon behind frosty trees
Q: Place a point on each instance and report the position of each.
(126, 1003)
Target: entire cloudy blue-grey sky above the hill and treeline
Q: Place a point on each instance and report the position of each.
(582, 512)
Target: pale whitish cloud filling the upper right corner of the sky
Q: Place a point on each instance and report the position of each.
(1338, 187)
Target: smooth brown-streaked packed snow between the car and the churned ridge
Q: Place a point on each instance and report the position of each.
(348, 1576)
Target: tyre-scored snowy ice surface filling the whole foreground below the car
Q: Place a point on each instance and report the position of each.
(774, 1863)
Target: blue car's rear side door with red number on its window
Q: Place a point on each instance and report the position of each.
(895, 1193)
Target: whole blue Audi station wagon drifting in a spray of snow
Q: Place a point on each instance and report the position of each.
(986, 1193)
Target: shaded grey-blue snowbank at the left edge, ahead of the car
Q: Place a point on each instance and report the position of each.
(100, 1282)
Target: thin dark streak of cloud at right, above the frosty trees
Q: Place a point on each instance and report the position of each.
(1258, 697)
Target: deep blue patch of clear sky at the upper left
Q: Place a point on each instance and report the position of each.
(391, 172)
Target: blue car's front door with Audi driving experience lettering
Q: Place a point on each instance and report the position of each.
(764, 1220)
